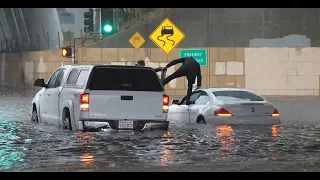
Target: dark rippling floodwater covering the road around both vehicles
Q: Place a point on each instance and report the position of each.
(292, 146)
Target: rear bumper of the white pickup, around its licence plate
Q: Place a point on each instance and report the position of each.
(138, 125)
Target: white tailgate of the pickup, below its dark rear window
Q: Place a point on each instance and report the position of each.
(131, 105)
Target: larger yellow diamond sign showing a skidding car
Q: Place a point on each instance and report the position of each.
(167, 36)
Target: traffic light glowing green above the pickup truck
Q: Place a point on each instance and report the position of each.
(107, 21)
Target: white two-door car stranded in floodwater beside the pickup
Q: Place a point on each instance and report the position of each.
(224, 106)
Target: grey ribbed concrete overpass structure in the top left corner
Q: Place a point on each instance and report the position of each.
(25, 29)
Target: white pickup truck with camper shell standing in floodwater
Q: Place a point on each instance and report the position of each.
(91, 97)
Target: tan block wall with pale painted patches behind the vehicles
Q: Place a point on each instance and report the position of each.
(268, 71)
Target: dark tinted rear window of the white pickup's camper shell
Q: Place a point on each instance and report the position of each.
(125, 79)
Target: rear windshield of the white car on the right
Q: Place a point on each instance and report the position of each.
(236, 96)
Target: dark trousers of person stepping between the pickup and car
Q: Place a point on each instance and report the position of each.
(190, 77)
